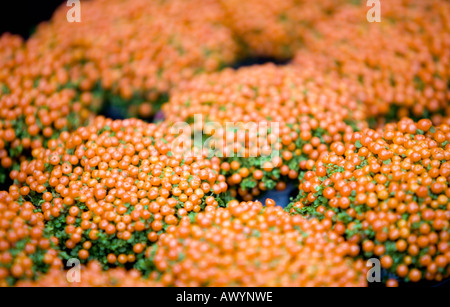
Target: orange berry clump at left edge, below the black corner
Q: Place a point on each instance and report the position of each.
(37, 101)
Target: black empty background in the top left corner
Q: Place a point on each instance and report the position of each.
(21, 17)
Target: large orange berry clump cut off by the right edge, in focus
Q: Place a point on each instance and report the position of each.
(389, 192)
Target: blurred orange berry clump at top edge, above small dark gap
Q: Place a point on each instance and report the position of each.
(276, 29)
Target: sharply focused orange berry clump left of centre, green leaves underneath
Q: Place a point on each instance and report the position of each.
(108, 190)
